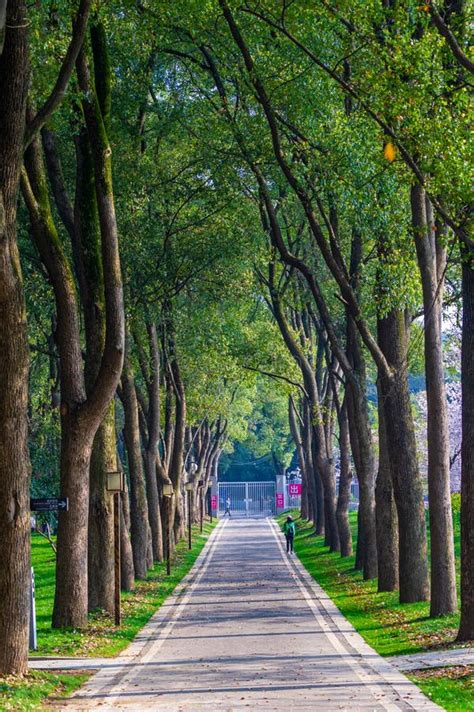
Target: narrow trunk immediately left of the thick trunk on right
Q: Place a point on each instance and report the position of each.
(386, 514)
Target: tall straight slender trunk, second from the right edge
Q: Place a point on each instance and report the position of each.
(431, 263)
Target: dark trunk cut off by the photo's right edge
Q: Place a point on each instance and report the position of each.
(466, 628)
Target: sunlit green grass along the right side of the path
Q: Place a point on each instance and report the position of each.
(389, 627)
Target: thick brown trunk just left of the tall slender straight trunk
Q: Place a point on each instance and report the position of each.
(401, 446)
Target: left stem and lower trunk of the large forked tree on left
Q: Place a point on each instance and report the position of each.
(70, 607)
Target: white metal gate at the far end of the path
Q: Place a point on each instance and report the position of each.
(247, 499)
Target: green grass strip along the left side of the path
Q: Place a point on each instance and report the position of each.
(101, 638)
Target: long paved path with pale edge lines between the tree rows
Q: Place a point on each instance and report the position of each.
(248, 629)
